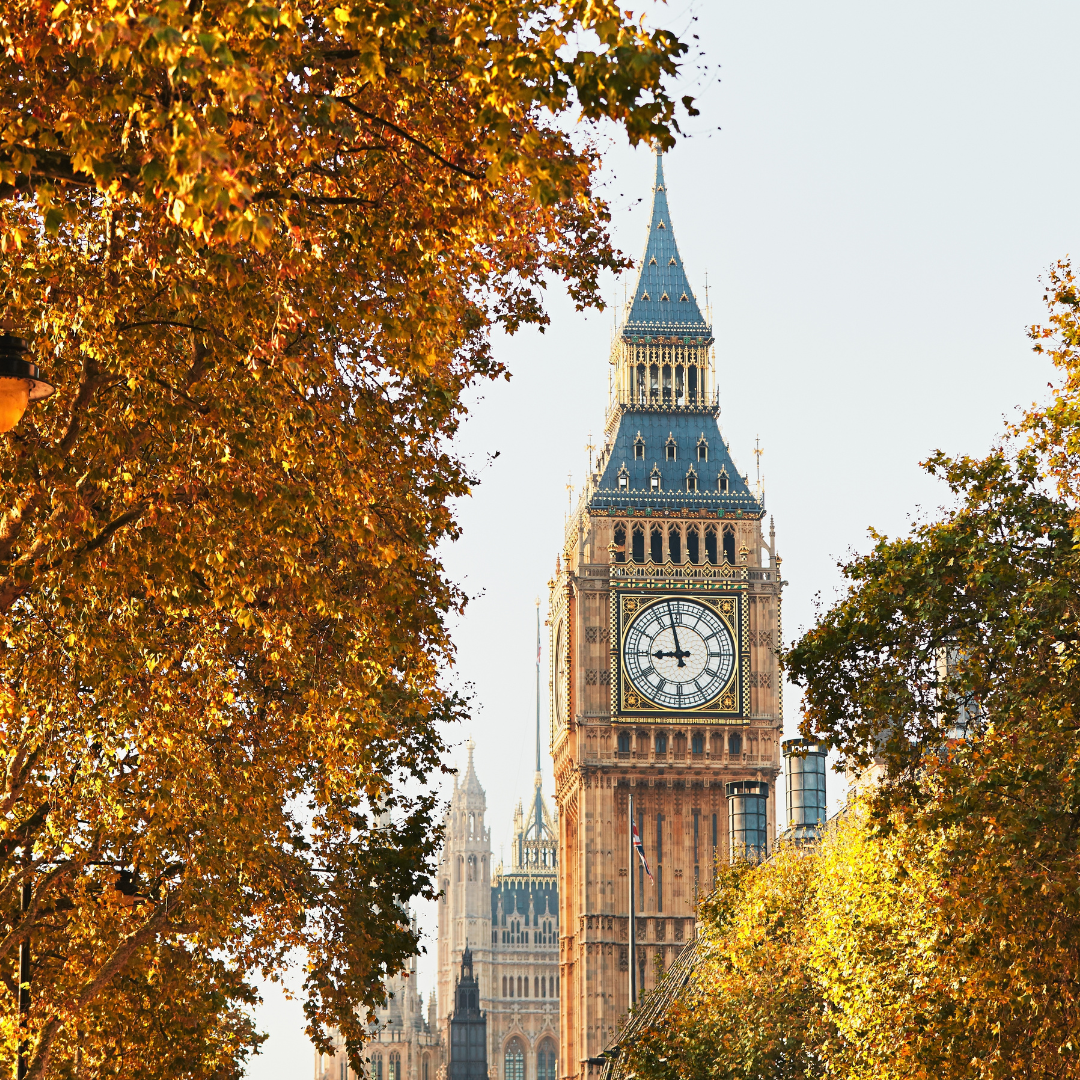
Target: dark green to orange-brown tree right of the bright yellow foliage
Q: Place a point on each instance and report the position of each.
(952, 664)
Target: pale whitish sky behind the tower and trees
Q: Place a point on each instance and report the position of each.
(874, 191)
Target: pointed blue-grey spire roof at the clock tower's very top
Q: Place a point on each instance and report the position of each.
(664, 301)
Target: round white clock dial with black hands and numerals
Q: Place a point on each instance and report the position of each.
(679, 654)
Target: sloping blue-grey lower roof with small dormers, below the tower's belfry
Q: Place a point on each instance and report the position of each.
(686, 427)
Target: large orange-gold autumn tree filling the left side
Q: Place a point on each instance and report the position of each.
(259, 249)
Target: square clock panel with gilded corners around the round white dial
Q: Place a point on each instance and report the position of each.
(679, 655)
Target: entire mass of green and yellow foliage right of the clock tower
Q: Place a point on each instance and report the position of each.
(936, 930)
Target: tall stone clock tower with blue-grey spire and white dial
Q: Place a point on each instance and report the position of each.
(665, 620)
